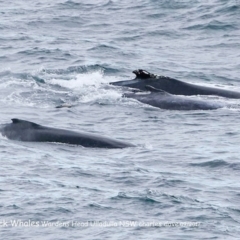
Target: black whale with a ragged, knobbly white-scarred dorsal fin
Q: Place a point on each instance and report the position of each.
(172, 85)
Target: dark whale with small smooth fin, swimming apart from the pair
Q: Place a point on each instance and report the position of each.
(26, 131)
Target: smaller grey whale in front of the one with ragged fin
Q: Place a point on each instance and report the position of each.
(161, 99)
